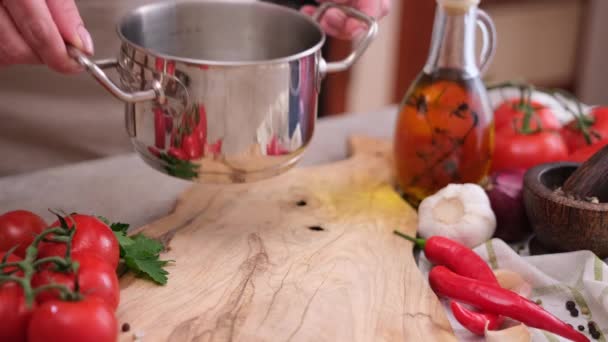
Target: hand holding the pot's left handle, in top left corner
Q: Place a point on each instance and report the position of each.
(36, 31)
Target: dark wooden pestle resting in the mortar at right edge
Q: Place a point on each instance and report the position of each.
(591, 178)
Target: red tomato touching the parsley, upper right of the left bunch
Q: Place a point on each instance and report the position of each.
(92, 237)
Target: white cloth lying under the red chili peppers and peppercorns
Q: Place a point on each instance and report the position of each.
(555, 278)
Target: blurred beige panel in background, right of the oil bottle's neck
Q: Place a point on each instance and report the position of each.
(537, 41)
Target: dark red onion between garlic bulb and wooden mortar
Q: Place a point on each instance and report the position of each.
(506, 198)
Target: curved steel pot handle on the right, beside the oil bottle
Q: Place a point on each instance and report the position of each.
(372, 30)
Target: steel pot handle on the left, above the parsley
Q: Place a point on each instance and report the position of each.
(95, 68)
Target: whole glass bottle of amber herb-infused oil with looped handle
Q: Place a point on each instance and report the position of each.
(445, 128)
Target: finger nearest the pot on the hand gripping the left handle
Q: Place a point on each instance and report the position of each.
(70, 25)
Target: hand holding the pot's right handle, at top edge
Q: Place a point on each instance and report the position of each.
(338, 24)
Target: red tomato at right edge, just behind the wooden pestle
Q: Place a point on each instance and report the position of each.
(597, 126)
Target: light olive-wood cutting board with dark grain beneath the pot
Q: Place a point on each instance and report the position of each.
(306, 256)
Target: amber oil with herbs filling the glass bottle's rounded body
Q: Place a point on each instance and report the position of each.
(444, 134)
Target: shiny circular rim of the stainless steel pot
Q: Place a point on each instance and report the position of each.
(194, 61)
